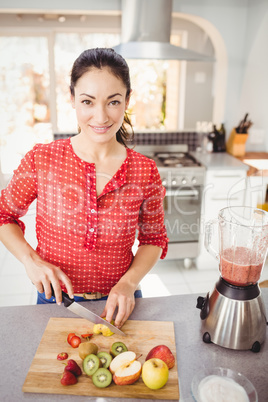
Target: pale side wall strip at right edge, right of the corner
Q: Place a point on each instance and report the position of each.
(254, 92)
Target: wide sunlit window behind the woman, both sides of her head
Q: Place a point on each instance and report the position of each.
(34, 90)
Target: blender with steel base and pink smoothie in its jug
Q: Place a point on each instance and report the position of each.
(233, 313)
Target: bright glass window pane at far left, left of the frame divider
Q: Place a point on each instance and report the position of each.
(24, 97)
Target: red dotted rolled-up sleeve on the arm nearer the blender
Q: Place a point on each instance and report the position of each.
(152, 229)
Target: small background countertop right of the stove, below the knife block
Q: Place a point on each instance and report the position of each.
(219, 160)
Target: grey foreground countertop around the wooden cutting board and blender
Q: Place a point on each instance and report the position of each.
(22, 329)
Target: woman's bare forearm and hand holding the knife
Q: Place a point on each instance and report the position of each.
(41, 273)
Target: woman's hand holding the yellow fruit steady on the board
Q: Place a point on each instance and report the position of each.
(122, 297)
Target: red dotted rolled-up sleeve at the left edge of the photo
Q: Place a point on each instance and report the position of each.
(20, 192)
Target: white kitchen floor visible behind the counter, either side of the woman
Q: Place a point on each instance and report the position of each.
(168, 277)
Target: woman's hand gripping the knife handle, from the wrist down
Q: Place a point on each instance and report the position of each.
(44, 275)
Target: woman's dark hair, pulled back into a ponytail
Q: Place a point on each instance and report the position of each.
(100, 58)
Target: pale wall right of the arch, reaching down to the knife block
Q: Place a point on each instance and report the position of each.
(243, 25)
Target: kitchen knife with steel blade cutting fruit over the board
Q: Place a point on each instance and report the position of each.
(83, 312)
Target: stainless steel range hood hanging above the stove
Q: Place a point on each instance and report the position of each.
(146, 26)
